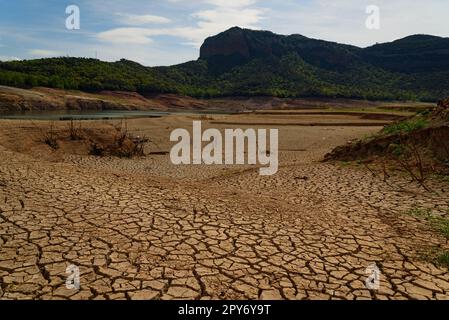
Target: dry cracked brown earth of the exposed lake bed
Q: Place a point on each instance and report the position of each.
(143, 229)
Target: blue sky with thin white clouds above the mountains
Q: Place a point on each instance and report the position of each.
(167, 32)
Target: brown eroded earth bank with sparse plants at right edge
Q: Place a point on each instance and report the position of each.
(417, 147)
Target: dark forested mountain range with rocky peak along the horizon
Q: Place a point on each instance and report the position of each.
(242, 62)
